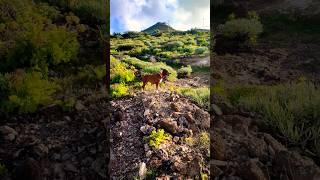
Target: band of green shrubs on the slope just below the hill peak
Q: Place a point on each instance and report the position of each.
(164, 45)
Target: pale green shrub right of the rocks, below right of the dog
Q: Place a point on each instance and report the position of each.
(199, 95)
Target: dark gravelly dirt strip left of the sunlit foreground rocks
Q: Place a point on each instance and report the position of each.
(127, 150)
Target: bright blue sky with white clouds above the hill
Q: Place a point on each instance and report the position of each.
(137, 15)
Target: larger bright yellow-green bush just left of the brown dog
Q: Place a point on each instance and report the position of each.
(119, 73)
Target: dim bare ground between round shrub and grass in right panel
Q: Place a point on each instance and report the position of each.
(269, 65)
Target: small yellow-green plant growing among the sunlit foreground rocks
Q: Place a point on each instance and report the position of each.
(157, 137)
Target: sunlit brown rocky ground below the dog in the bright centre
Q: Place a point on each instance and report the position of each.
(133, 118)
